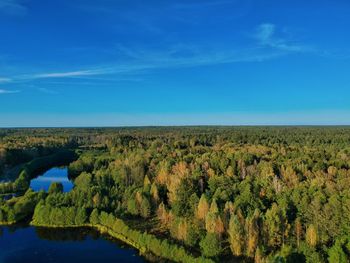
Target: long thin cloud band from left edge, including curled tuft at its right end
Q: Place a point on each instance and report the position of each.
(268, 45)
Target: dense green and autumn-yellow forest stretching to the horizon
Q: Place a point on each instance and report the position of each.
(191, 194)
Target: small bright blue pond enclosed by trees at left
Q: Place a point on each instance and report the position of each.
(56, 174)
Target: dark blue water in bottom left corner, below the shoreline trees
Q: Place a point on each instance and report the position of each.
(43, 245)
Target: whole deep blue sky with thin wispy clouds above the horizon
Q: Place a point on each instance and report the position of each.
(186, 62)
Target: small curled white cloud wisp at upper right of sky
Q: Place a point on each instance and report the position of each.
(266, 35)
